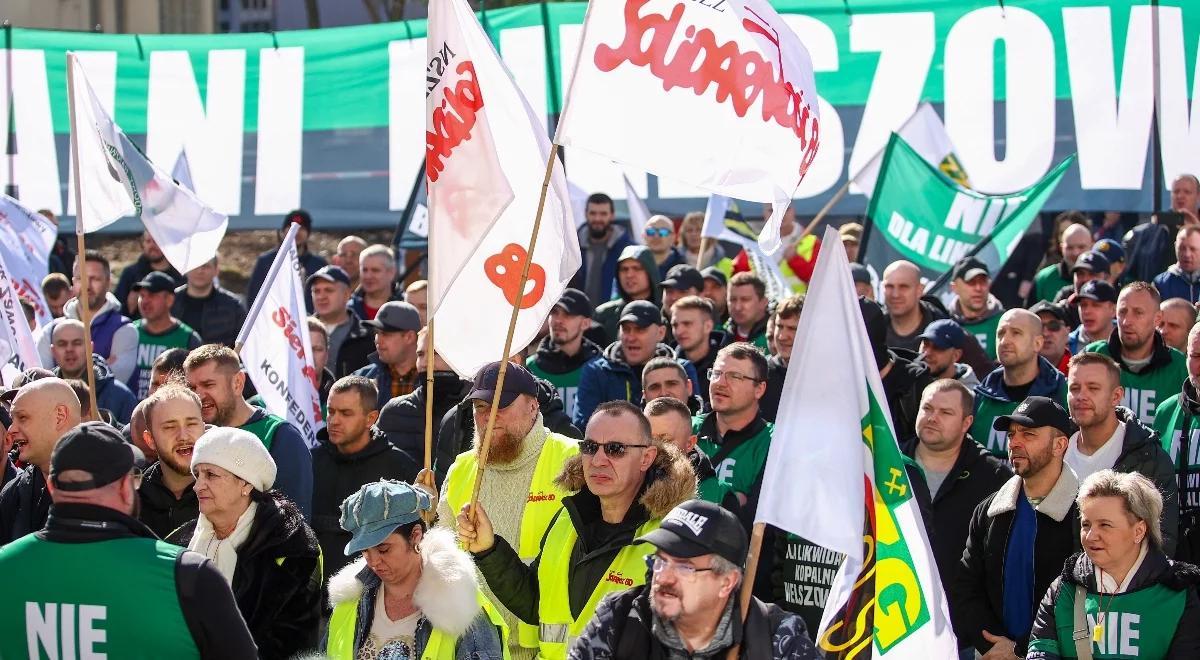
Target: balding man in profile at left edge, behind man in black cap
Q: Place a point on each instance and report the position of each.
(43, 413)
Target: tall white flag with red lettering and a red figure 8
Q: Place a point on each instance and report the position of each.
(477, 302)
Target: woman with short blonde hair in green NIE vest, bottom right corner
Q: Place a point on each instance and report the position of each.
(1121, 597)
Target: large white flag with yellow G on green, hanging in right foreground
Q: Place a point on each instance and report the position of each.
(836, 452)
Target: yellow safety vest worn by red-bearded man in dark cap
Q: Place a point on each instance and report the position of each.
(544, 502)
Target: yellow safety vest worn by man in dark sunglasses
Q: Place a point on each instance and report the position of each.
(557, 628)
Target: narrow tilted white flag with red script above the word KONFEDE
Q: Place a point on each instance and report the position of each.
(275, 346)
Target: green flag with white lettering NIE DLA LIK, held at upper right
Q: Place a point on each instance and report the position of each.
(921, 215)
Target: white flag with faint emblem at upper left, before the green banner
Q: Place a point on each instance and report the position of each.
(117, 181)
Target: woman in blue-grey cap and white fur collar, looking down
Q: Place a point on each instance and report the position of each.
(413, 593)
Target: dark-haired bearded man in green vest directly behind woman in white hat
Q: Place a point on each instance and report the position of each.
(215, 374)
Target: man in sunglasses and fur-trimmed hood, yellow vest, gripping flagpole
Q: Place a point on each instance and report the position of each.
(626, 483)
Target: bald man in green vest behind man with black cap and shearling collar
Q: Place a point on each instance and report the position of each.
(1022, 374)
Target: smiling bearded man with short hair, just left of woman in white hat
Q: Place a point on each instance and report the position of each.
(175, 423)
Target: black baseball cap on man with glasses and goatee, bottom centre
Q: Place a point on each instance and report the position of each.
(697, 529)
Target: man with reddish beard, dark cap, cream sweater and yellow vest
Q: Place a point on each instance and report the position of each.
(519, 485)
